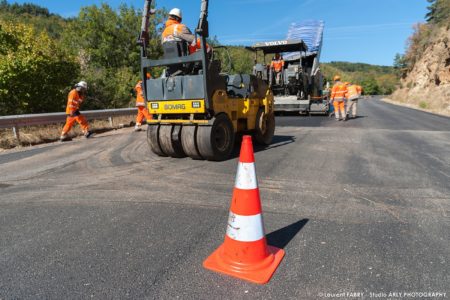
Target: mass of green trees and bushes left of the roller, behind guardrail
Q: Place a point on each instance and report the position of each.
(99, 46)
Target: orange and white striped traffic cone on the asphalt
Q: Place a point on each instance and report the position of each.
(245, 253)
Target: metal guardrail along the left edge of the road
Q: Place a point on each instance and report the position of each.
(17, 121)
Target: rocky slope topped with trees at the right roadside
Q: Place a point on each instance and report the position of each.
(425, 66)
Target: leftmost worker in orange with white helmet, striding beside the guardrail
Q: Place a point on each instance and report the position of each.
(74, 100)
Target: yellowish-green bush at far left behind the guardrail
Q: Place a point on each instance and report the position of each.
(35, 71)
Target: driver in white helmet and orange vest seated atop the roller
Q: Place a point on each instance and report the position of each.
(175, 30)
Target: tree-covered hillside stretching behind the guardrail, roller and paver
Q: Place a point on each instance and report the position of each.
(42, 55)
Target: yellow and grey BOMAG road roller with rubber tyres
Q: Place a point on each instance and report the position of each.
(198, 109)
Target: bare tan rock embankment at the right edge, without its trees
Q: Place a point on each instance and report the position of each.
(427, 85)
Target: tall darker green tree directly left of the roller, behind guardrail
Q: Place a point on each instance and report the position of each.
(105, 42)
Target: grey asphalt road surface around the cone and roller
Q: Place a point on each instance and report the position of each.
(358, 206)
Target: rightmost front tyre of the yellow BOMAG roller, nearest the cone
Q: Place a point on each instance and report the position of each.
(217, 141)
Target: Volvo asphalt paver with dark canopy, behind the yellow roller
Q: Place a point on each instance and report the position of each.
(301, 84)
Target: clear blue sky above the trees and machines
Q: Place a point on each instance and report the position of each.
(369, 31)
